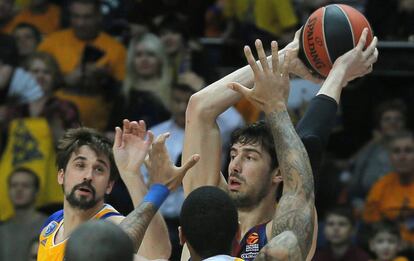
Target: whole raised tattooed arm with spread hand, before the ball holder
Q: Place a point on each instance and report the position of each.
(295, 211)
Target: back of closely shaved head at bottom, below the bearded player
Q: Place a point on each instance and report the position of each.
(99, 240)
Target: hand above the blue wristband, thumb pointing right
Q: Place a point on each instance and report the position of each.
(160, 168)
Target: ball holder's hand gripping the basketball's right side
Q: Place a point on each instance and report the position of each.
(358, 62)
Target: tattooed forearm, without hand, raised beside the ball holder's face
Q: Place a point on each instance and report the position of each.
(293, 160)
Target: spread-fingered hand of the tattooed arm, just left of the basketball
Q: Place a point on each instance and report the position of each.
(271, 88)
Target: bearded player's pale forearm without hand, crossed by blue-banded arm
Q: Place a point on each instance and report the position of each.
(153, 246)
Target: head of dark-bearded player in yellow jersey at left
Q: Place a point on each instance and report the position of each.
(87, 169)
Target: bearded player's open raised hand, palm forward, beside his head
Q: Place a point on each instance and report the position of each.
(130, 146)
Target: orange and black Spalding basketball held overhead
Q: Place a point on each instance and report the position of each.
(328, 33)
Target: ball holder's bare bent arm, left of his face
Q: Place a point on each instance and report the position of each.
(202, 111)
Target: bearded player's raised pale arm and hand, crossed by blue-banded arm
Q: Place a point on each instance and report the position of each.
(130, 149)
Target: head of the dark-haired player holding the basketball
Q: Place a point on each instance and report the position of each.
(253, 167)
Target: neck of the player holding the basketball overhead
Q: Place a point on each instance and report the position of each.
(258, 214)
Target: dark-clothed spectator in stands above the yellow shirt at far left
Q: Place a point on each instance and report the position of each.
(61, 114)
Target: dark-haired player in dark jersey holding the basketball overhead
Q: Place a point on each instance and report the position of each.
(253, 170)
